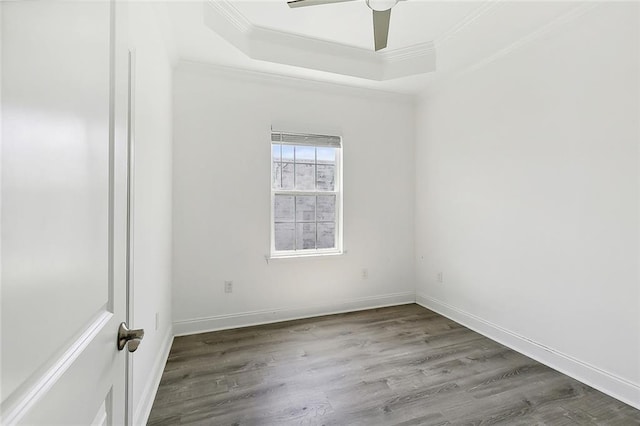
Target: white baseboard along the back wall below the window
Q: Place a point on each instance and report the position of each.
(245, 319)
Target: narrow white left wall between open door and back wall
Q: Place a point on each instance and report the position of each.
(152, 202)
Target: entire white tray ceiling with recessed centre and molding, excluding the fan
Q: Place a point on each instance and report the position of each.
(267, 36)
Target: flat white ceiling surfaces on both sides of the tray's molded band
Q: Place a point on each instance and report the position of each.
(464, 33)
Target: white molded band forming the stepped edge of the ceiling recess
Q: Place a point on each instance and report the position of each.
(281, 47)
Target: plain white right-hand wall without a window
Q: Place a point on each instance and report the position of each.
(528, 199)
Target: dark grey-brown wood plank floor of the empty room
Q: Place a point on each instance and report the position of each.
(403, 365)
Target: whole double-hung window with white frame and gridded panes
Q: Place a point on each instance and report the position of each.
(306, 194)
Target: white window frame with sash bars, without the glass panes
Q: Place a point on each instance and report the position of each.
(302, 139)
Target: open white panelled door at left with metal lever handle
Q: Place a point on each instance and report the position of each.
(64, 146)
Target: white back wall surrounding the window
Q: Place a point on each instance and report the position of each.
(221, 185)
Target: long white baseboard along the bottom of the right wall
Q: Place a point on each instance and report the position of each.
(595, 377)
